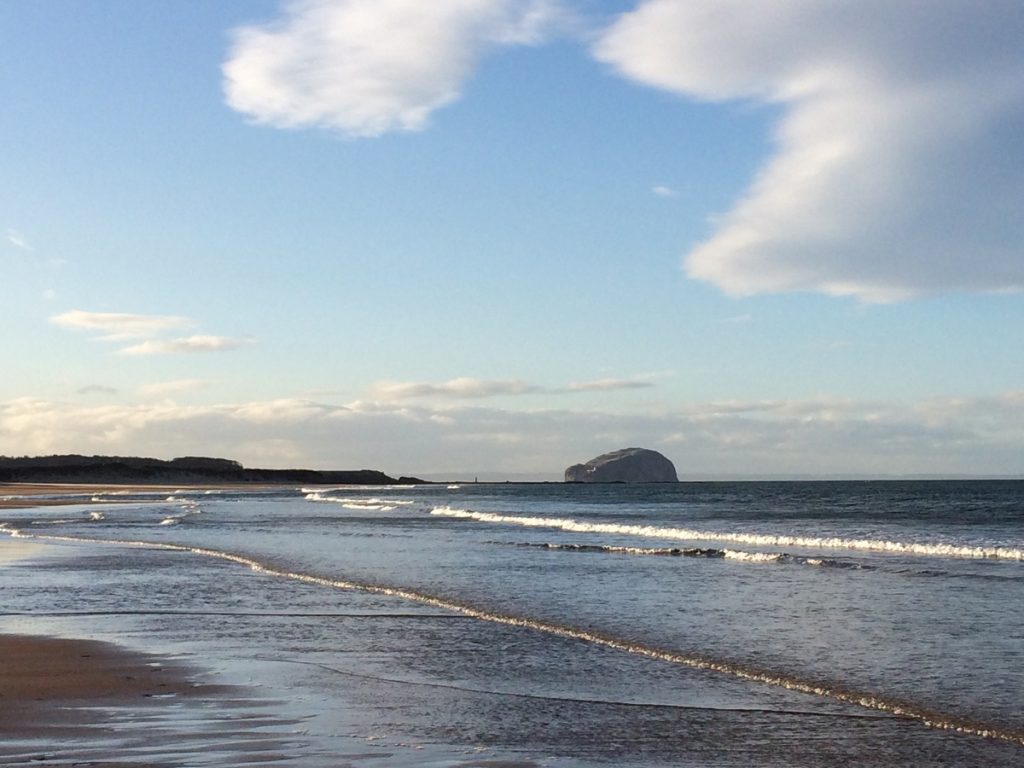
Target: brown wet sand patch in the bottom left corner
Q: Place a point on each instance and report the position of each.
(86, 703)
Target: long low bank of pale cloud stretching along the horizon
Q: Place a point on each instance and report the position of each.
(984, 436)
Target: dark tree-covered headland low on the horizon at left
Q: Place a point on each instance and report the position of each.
(187, 471)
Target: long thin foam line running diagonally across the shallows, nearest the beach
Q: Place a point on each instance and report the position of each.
(743, 672)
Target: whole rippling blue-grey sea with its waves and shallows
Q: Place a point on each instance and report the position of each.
(734, 624)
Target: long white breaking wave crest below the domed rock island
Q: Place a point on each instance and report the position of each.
(764, 540)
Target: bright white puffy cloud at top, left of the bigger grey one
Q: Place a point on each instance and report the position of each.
(369, 67)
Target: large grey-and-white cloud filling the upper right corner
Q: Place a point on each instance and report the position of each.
(898, 155)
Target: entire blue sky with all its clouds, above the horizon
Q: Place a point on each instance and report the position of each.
(496, 238)
